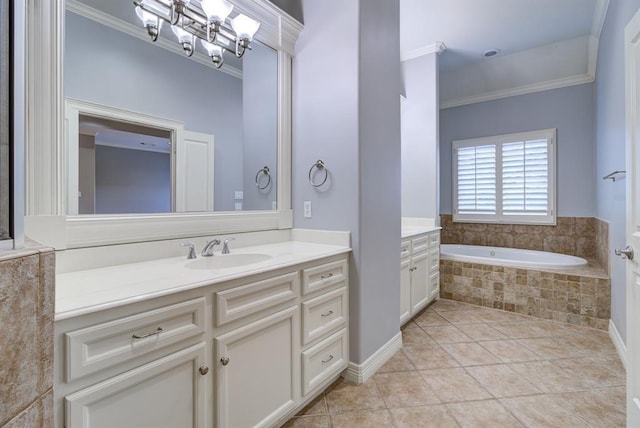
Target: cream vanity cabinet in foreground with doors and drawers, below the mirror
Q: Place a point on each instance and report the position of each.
(251, 351)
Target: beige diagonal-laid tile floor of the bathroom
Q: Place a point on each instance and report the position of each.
(467, 366)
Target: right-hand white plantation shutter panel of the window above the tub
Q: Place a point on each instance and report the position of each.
(525, 182)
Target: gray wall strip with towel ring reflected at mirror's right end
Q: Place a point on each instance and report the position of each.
(260, 106)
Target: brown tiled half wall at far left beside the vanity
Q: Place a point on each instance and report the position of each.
(26, 315)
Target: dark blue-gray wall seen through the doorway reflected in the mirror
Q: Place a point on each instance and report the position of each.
(132, 181)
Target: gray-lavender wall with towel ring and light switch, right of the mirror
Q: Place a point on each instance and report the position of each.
(347, 113)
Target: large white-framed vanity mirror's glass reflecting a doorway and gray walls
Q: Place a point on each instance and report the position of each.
(222, 125)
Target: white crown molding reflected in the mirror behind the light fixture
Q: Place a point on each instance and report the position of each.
(137, 32)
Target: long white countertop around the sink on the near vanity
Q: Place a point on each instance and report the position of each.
(87, 291)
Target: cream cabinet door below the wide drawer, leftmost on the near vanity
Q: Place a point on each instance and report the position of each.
(165, 393)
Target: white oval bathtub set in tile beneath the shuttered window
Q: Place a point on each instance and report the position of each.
(509, 257)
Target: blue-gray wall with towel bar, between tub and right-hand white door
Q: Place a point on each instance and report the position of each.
(610, 145)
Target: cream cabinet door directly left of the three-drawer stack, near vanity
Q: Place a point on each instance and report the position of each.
(258, 371)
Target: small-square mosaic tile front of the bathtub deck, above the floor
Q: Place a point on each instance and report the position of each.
(581, 297)
